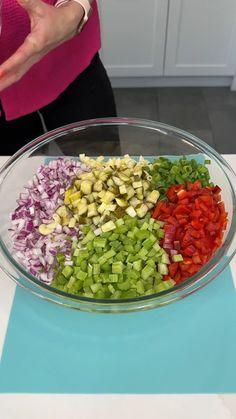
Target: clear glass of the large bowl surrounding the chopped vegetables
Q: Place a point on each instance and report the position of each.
(113, 137)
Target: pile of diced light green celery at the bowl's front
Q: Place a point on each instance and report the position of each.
(125, 257)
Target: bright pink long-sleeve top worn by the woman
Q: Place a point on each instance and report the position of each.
(47, 79)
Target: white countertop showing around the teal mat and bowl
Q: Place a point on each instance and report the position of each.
(77, 406)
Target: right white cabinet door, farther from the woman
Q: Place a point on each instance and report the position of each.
(201, 38)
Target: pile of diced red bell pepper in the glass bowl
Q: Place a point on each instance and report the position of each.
(195, 221)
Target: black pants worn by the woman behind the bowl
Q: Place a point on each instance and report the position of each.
(89, 96)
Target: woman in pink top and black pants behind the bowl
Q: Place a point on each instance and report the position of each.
(49, 69)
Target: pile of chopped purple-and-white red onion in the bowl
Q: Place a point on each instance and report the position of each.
(36, 205)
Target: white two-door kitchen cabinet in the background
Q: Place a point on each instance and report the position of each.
(168, 37)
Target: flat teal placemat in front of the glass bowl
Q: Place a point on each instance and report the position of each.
(187, 347)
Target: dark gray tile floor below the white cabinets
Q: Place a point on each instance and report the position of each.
(209, 112)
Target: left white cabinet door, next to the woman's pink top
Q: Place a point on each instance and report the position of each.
(133, 36)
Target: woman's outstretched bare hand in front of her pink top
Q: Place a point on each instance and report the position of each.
(50, 27)
